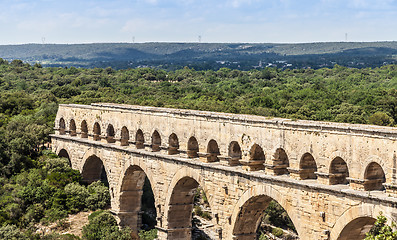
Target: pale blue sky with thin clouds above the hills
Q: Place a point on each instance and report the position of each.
(276, 21)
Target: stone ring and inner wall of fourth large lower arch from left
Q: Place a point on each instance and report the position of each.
(179, 202)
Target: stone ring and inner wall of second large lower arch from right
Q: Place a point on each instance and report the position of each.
(249, 209)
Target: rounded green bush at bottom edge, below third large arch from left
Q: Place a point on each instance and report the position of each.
(103, 226)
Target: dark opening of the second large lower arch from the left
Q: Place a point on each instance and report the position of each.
(94, 170)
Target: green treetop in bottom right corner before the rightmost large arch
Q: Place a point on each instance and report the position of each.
(381, 230)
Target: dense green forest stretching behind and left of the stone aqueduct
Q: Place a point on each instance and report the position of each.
(38, 187)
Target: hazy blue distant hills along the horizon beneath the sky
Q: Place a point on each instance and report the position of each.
(205, 55)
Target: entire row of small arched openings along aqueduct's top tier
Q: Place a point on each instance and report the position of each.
(374, 176)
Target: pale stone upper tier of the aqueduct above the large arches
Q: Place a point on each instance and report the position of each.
(208, 135)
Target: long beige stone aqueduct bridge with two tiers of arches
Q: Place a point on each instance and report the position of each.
(332, 179)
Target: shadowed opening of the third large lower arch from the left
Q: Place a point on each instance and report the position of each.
(137, 200)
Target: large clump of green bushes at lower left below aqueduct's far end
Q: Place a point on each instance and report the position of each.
(34, 195)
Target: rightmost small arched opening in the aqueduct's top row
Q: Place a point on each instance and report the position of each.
(374, 177)
